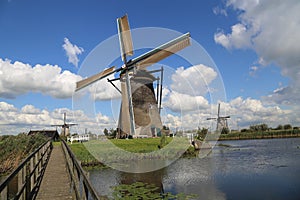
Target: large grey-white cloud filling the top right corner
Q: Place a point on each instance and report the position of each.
(270, 28)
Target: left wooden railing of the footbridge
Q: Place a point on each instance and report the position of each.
(28, 175)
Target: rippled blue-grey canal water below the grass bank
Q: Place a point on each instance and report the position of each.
(248, 169)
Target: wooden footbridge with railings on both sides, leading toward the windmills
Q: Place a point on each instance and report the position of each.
(51, 172)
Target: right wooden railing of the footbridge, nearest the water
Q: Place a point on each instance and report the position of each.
(80, 184)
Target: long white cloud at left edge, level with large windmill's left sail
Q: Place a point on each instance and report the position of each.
(19, 78)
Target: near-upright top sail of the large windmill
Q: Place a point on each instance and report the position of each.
(125, 37)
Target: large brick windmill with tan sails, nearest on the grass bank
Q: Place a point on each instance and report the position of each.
(139, 113)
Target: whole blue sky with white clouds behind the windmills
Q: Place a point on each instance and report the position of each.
(46, 46)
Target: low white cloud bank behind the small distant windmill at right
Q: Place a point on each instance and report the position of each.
(243, 113)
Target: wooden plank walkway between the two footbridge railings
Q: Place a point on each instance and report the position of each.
(56, 181)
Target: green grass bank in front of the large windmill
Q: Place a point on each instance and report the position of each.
(133, 149)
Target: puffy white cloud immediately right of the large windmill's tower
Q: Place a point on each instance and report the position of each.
(187, 88)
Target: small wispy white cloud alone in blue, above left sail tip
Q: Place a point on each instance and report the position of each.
(72, 51)
